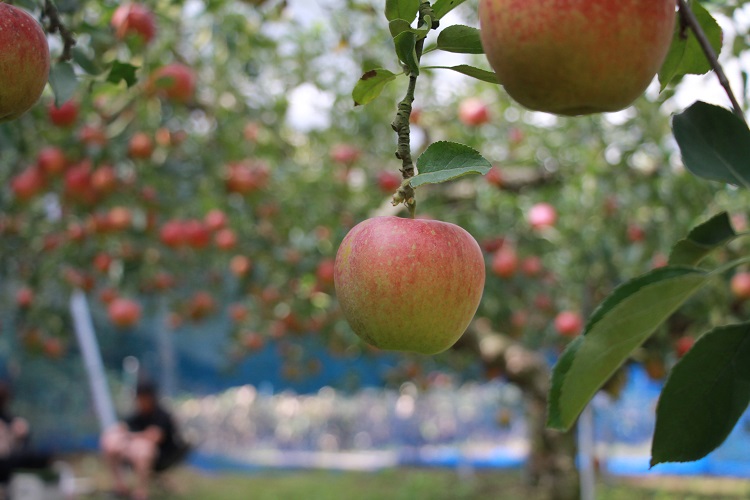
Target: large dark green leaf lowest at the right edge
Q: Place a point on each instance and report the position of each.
(705, 395)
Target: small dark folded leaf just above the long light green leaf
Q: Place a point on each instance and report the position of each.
(702, 240)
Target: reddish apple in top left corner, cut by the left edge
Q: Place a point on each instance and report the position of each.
(24, 62)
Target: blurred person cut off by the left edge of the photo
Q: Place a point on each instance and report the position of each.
(15, 435)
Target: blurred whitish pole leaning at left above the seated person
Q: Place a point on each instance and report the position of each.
(105, 409)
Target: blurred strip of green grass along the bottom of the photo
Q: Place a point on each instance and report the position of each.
(403, 484)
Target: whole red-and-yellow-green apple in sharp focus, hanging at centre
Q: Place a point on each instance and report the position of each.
(409, 284)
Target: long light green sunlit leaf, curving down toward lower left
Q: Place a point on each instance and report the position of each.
(619, 325)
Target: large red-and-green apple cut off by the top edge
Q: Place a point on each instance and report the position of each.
(575, 57)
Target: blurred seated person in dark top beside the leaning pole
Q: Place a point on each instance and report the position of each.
(146, 441)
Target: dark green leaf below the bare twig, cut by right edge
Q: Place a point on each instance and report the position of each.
(715, 144)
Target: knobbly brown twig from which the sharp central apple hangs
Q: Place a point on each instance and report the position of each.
(401, 125)
